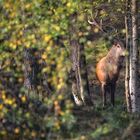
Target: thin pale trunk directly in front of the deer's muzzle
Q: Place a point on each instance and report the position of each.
(128, 44)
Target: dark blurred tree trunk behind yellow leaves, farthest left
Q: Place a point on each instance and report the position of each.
(32, 71)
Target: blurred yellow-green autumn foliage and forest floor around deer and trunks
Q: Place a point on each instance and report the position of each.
(39, 105)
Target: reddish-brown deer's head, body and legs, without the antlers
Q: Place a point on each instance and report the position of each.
(108, 69)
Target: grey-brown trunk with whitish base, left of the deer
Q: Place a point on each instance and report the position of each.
(80, 87)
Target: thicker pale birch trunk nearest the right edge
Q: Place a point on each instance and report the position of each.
(133, 83)
